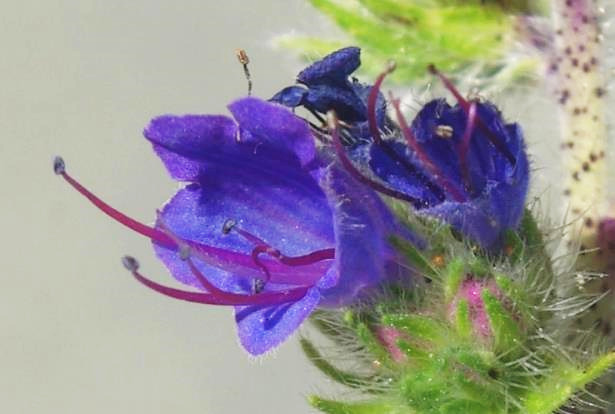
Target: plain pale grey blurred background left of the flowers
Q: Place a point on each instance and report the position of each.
(82, 79)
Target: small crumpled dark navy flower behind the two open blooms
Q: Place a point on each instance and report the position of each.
(325, 86)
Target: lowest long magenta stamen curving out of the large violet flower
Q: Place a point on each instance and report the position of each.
(229, 299)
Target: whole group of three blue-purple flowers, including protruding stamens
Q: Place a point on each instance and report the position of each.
(277, 223)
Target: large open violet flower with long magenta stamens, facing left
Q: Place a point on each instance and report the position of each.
(264, 224)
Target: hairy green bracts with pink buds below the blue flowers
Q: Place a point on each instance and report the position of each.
(482, 334)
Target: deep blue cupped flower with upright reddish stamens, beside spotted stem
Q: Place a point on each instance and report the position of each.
(463, 164)
